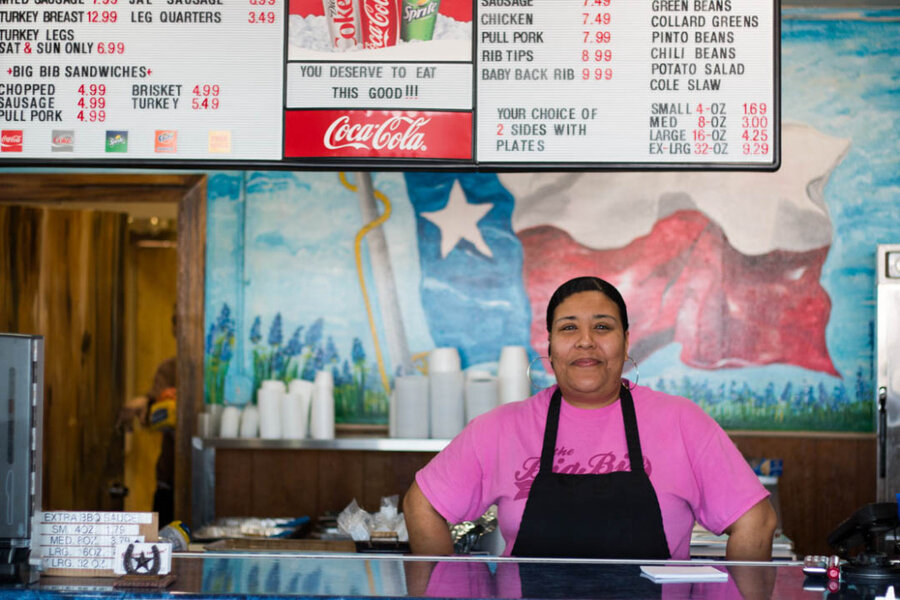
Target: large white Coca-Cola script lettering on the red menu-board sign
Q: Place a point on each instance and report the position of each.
(398, 132)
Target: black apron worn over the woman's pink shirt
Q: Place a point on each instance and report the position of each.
(615, 515)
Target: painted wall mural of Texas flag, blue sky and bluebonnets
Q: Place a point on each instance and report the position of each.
(751, 293)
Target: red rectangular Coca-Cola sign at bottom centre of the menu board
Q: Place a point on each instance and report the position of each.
(410, 134)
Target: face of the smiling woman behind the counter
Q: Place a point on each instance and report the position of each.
(588, 348)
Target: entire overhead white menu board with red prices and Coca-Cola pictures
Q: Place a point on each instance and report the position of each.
(483, 84)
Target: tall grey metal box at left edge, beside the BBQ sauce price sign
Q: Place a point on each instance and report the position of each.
(21, 426)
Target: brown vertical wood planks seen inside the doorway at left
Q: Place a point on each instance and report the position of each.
(65, 281)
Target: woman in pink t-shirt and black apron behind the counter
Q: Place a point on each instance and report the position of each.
(594, 466)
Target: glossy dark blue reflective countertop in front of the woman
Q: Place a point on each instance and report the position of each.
(253, 575)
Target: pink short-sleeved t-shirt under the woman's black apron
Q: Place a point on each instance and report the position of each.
(696, 470)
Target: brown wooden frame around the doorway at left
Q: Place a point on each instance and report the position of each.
(188, 191)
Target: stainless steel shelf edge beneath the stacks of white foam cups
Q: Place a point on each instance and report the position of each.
(380, 444)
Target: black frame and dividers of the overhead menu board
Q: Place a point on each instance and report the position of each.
(387, 163)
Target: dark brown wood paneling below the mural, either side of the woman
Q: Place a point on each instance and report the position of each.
(825, 479)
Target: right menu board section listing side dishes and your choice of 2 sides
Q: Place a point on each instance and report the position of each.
(659, 81)
